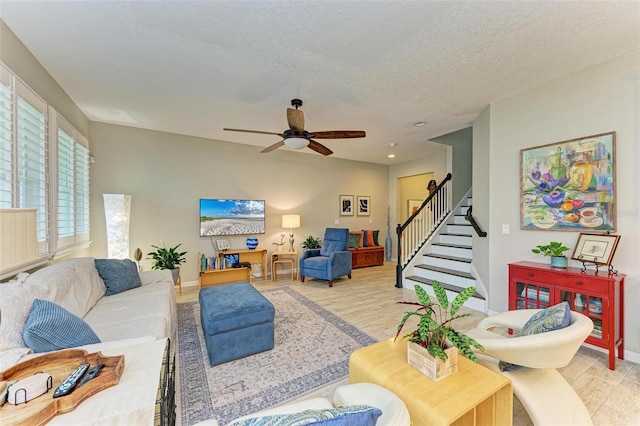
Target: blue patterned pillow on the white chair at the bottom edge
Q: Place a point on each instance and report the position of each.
(353, 415)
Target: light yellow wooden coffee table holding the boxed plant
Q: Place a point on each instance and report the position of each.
(472, 396)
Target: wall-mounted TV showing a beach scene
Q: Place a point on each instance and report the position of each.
(231, 217)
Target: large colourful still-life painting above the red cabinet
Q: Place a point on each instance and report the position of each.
(569, 185)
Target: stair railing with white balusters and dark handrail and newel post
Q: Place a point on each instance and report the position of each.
(422, 223)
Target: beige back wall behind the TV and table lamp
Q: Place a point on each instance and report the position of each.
(166, 175)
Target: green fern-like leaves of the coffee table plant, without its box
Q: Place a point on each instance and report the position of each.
(435, 331)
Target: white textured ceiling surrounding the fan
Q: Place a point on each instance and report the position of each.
(196, 67)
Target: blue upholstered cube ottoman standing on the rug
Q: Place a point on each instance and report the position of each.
(236, 320)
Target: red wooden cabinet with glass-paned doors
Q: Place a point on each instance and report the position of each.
(600, 297)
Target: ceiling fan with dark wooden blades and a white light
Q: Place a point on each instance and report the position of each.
(297, 138)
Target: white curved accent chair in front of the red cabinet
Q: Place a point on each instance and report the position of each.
(548, 398)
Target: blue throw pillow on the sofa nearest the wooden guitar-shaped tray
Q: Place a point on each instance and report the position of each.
(50, 327)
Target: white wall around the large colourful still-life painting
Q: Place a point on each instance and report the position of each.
(601, 99)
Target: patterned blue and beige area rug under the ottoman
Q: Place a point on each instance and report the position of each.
(312, 349)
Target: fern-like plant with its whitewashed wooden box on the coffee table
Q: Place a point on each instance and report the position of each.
(433, 346)
